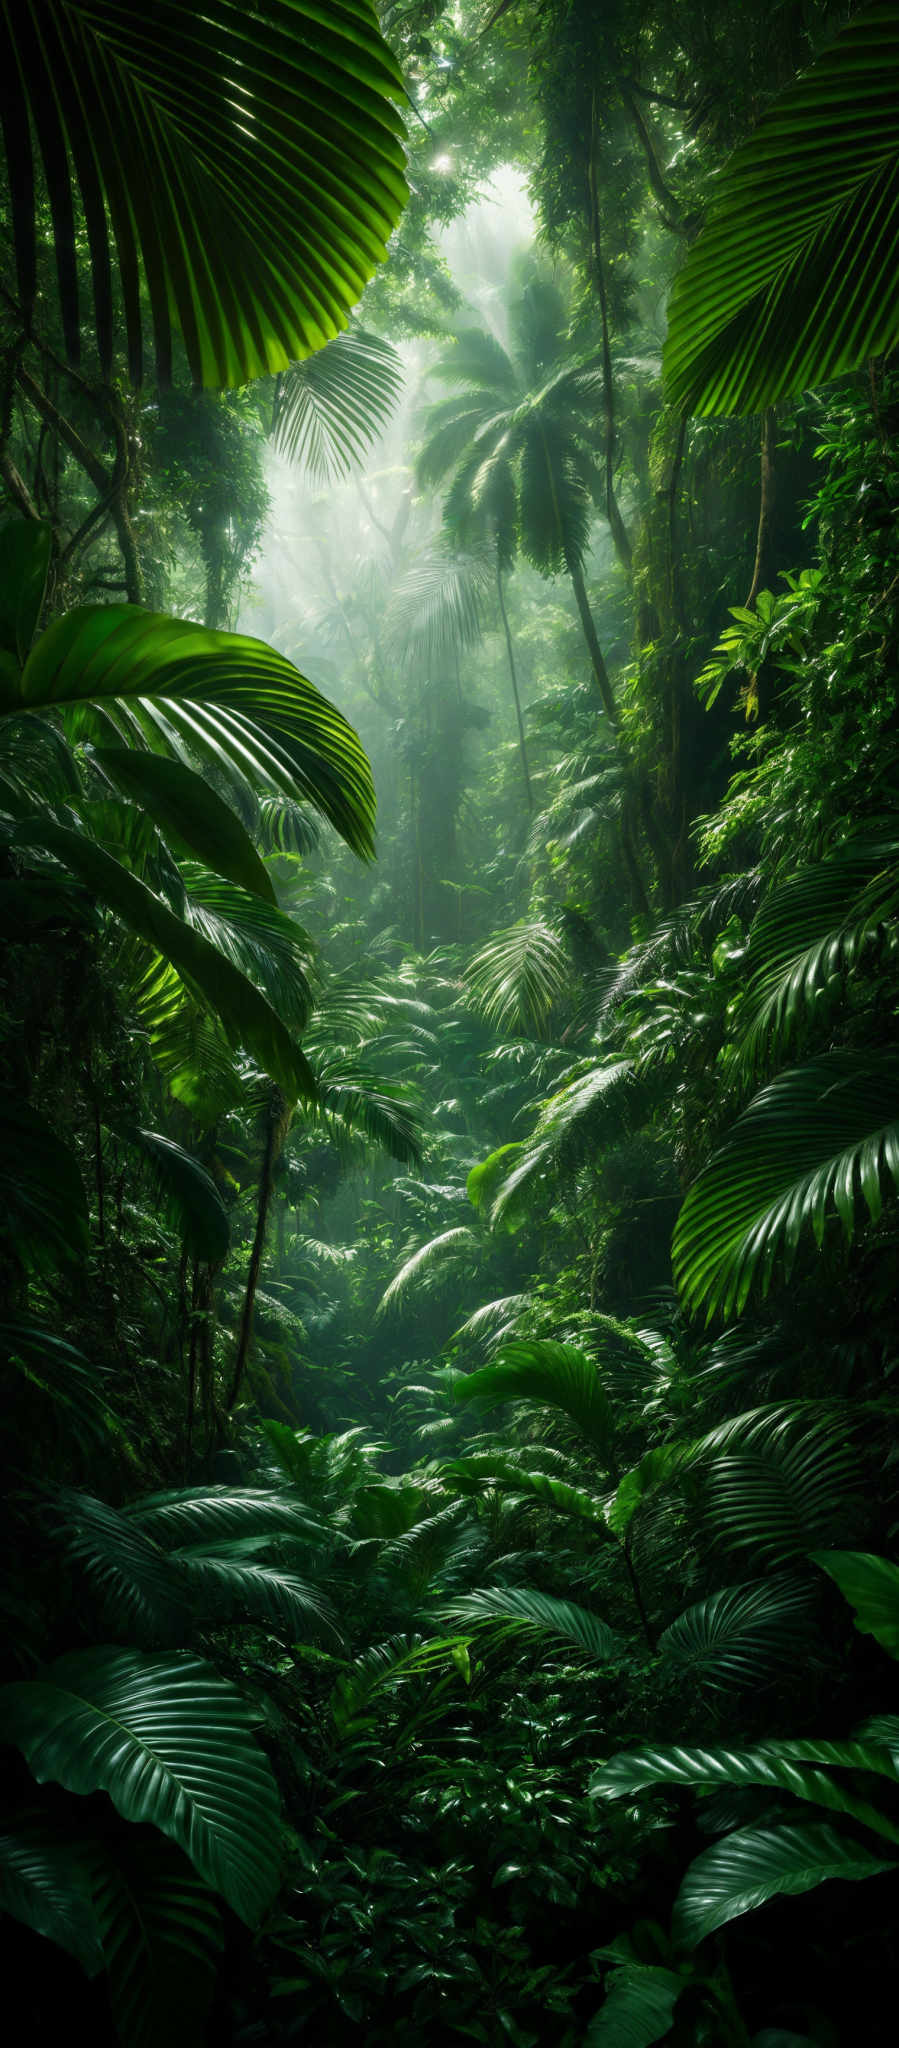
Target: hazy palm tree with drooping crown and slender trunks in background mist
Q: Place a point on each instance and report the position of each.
(515, 443)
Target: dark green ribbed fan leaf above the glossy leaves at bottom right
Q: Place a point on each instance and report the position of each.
(738, 1635)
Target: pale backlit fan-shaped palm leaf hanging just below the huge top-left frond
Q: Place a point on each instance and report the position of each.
(333, 409)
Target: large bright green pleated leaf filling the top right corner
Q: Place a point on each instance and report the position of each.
(794, 278)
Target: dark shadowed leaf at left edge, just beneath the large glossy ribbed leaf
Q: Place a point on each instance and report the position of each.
(44, 1883)
